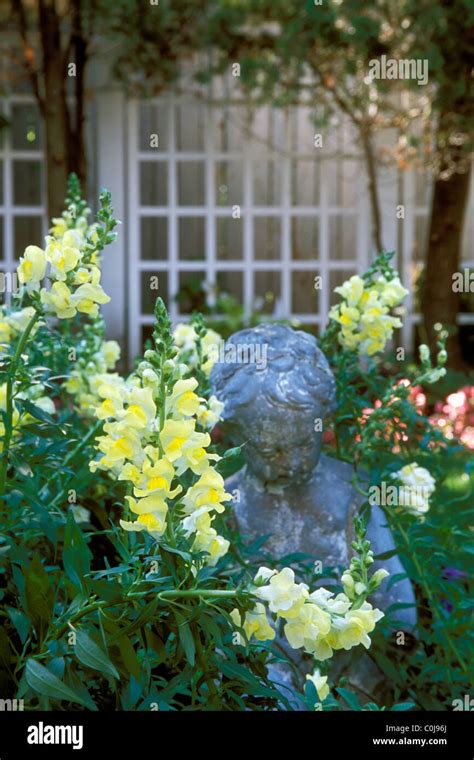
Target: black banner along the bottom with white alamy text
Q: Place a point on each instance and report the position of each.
(61, 735)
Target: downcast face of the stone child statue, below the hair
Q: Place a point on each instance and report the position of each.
(282, 444)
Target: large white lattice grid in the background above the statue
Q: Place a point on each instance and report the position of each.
(285, 211)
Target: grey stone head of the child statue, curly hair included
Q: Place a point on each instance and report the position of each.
(277, 388)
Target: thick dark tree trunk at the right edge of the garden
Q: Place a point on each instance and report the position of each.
(440, 303)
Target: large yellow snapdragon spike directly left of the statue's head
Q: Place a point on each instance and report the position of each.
(152, 442)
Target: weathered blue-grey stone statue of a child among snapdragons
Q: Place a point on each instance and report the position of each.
(288, 489)
